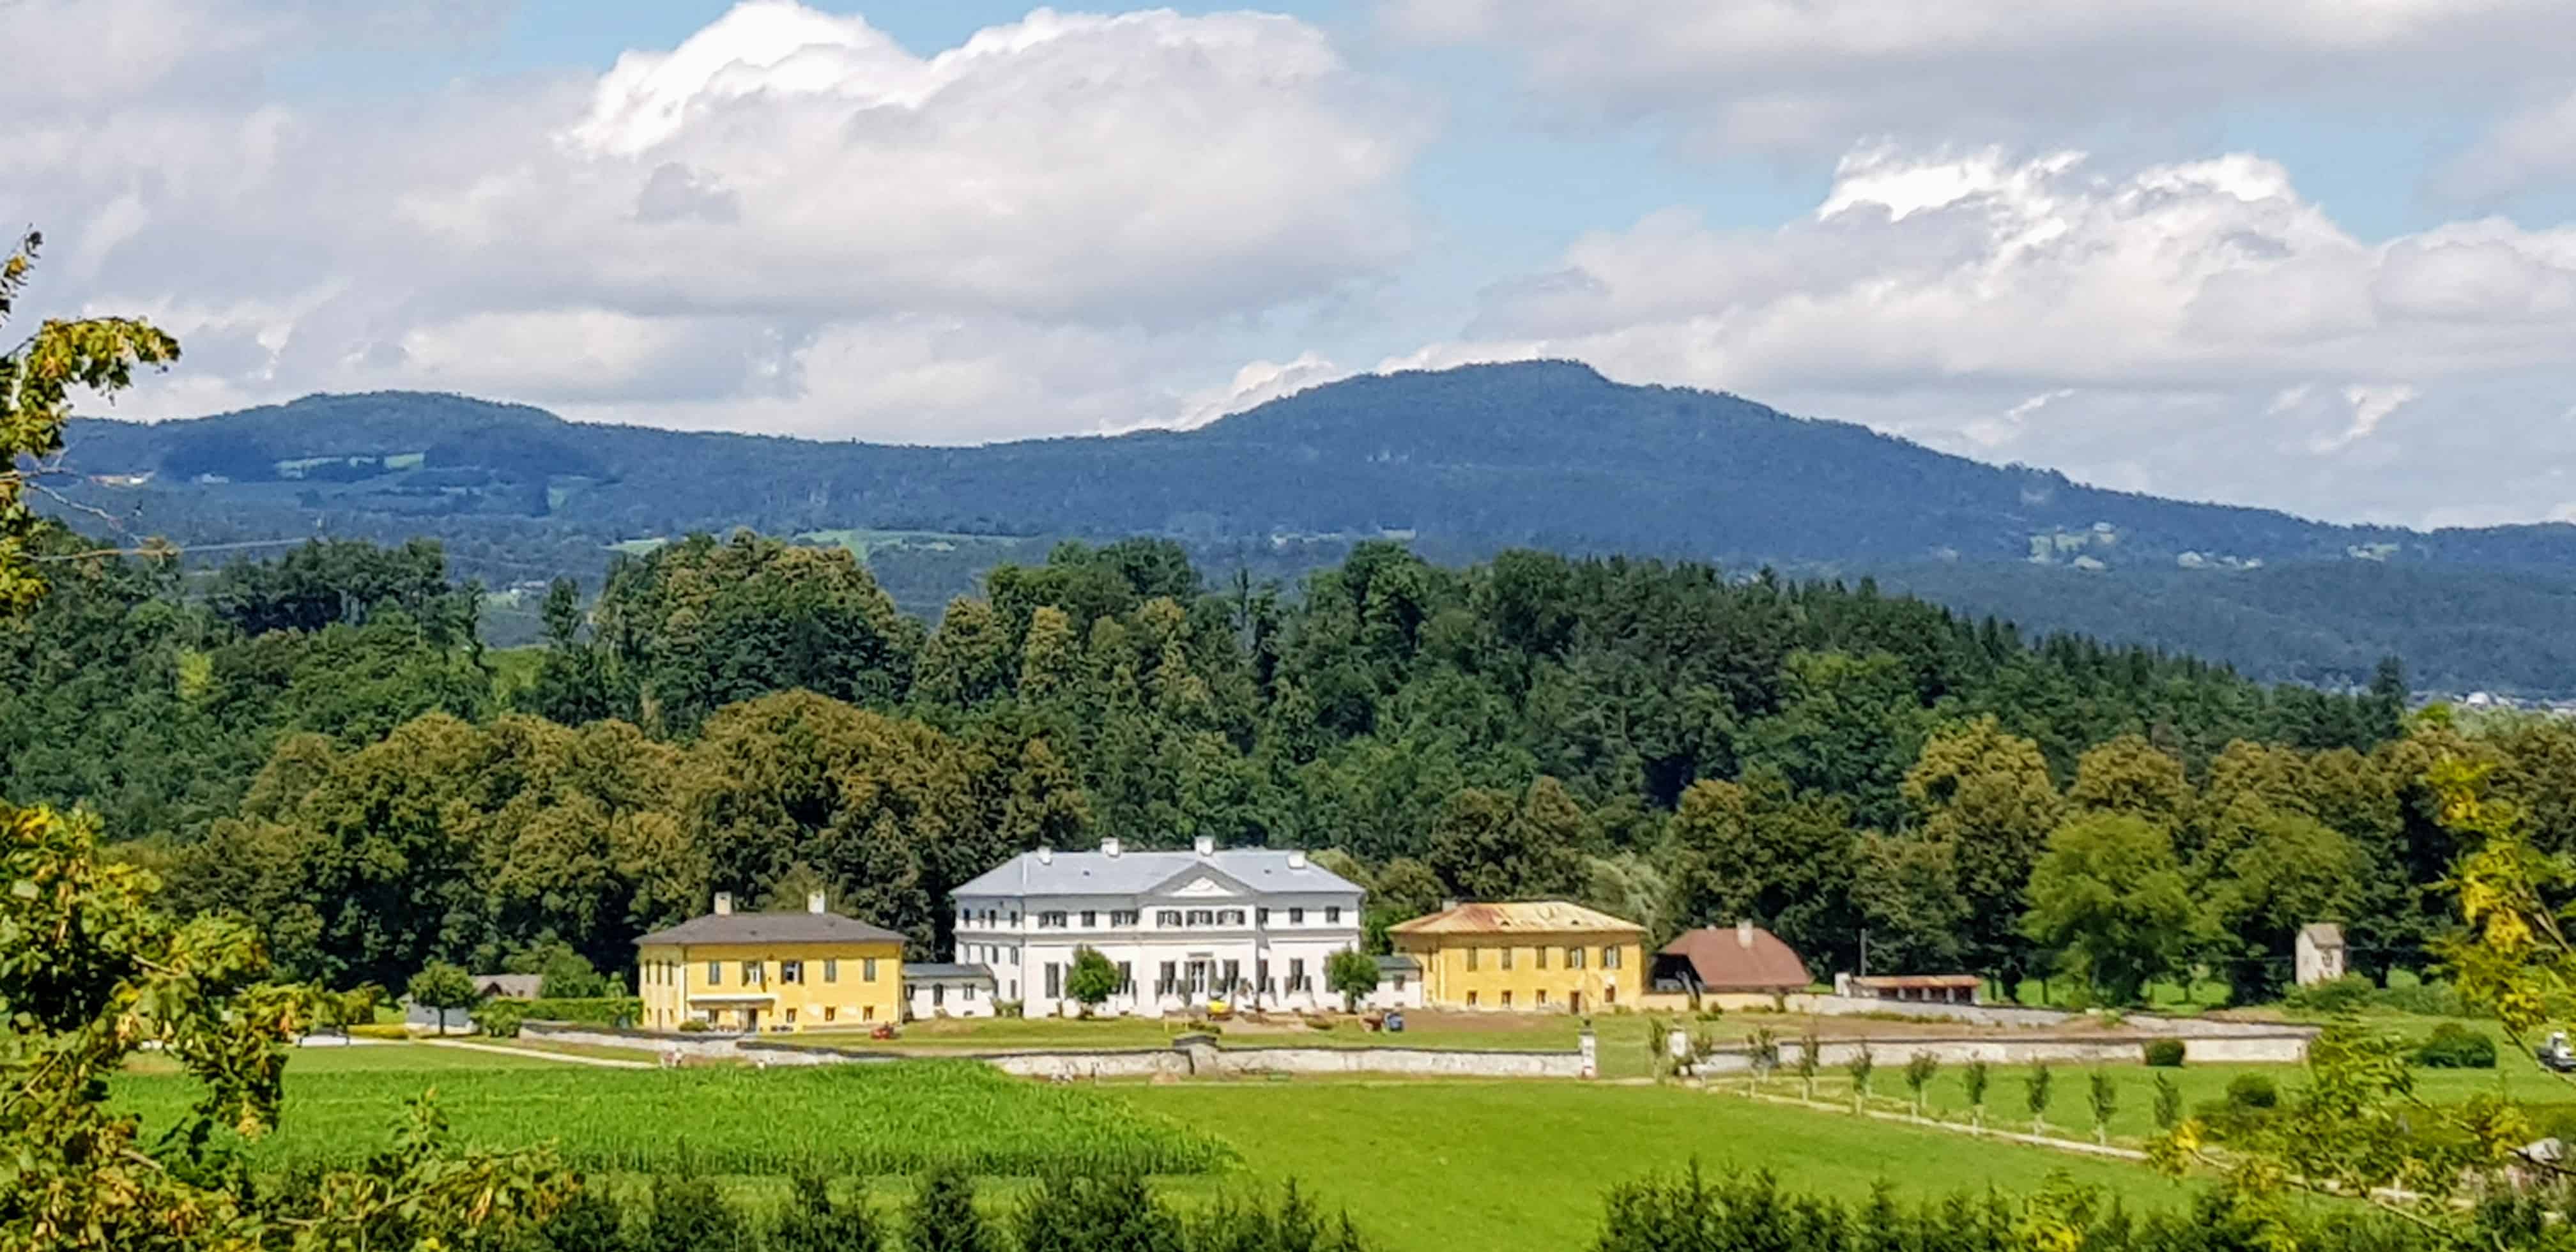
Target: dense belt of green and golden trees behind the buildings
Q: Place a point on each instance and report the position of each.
(321, 746)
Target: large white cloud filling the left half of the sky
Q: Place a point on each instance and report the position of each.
(707, 233)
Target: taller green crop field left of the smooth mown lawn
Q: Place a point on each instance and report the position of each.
(890, 1119)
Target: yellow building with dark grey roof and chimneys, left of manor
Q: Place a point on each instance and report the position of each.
(772, 970)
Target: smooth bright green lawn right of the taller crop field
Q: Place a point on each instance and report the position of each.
(1524, 1166)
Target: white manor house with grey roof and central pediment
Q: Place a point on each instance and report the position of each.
(1253, 926)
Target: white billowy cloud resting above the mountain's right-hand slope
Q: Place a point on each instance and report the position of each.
(2191, 328)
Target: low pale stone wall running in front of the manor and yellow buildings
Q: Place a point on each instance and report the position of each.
(1181, 1060)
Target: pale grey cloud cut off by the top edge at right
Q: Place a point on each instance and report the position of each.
(1810, 76)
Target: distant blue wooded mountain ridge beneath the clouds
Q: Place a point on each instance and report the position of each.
(1457, 462)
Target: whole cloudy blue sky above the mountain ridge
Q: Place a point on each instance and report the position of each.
(2312, 256)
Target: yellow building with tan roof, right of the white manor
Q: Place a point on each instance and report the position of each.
(1544, 957)
